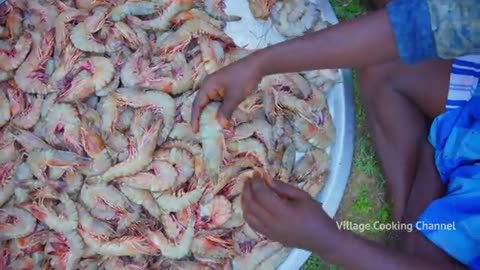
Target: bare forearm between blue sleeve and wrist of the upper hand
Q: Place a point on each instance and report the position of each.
(360, 42)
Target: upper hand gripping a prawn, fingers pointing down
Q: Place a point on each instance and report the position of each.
(231, 84)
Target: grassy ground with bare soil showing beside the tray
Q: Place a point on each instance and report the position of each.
(364, 199)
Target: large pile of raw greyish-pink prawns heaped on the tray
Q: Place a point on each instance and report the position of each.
(99, 167)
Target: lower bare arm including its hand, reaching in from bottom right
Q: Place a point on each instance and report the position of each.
(290, 216)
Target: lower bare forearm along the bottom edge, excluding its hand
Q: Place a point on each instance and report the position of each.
(352, 252)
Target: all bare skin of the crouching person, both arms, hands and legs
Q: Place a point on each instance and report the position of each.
(400, 105)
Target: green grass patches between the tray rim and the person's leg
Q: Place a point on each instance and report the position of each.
(367, 207)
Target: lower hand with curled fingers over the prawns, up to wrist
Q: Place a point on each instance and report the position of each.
(288, 215)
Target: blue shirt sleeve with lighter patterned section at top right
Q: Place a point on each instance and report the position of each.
(425, 29)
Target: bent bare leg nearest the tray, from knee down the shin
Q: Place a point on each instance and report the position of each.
(396, 98)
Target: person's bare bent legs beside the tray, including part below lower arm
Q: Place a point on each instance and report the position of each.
(400, 101)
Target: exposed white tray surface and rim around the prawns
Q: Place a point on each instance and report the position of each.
(254, 34)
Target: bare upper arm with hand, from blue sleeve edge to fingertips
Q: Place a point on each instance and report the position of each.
(360, 42)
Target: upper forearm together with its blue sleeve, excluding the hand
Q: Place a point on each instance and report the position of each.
(412, 30)
